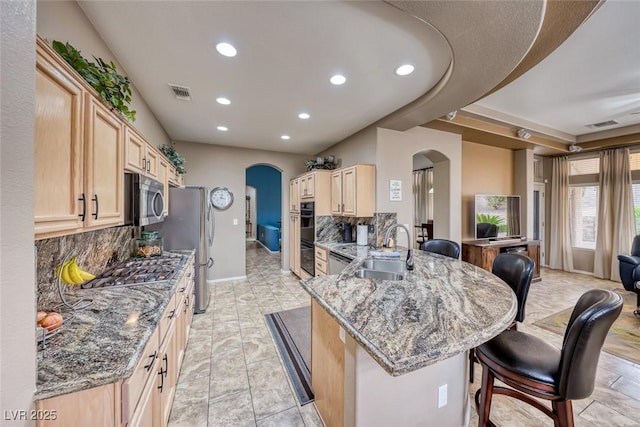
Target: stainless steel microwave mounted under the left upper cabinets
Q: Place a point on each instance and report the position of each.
(143, 200)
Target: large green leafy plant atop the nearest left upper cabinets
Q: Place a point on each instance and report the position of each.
(113, 88)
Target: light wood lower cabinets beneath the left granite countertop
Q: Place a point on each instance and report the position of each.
(146, 397)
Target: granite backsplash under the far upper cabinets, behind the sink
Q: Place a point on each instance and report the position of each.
(328, 227)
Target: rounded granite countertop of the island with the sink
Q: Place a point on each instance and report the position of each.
(441, 308)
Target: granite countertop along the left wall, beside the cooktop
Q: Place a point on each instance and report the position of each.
(103, 343)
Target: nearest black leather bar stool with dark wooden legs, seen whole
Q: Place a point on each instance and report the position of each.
(533, 368)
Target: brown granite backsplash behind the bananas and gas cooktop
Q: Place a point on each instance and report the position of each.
(93, 250)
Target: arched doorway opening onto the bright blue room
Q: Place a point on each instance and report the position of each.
(266, 202)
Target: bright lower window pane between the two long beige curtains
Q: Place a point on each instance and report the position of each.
(583, 205)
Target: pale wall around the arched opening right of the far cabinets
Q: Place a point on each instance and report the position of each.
(394, 160)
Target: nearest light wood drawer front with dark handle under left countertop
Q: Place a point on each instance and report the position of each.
(133, 386)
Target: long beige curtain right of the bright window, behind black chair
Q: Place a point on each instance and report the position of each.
(616, 223)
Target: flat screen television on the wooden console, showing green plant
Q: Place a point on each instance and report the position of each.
(497, 216)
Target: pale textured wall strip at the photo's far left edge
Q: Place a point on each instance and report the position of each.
(17, 287)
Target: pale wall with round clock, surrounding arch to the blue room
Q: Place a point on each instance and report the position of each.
(219, 166)
